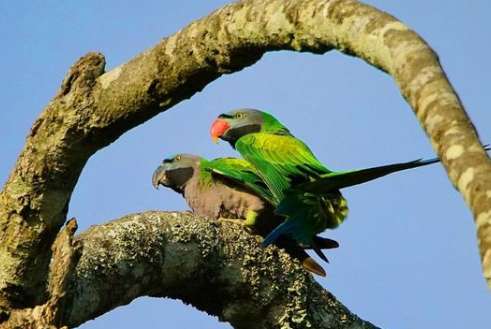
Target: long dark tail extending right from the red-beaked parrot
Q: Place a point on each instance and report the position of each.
(341, 179)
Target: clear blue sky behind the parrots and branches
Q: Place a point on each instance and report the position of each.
(408, 255)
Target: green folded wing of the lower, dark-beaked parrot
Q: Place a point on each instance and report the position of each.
(242, 172)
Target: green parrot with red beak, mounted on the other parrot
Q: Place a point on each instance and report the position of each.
(305, 191)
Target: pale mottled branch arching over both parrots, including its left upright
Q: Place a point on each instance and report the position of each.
(93, 108)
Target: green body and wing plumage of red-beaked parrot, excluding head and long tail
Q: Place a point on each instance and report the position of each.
(283, 162)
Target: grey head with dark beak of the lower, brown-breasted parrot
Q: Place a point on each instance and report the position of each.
(176, 171)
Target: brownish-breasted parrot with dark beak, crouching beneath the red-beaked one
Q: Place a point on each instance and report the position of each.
(230, 188)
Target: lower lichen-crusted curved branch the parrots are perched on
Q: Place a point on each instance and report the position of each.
(217, 267)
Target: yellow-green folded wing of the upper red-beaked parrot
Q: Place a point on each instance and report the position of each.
(281, 161)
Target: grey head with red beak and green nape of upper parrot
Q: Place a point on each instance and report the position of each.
(233, 125)
